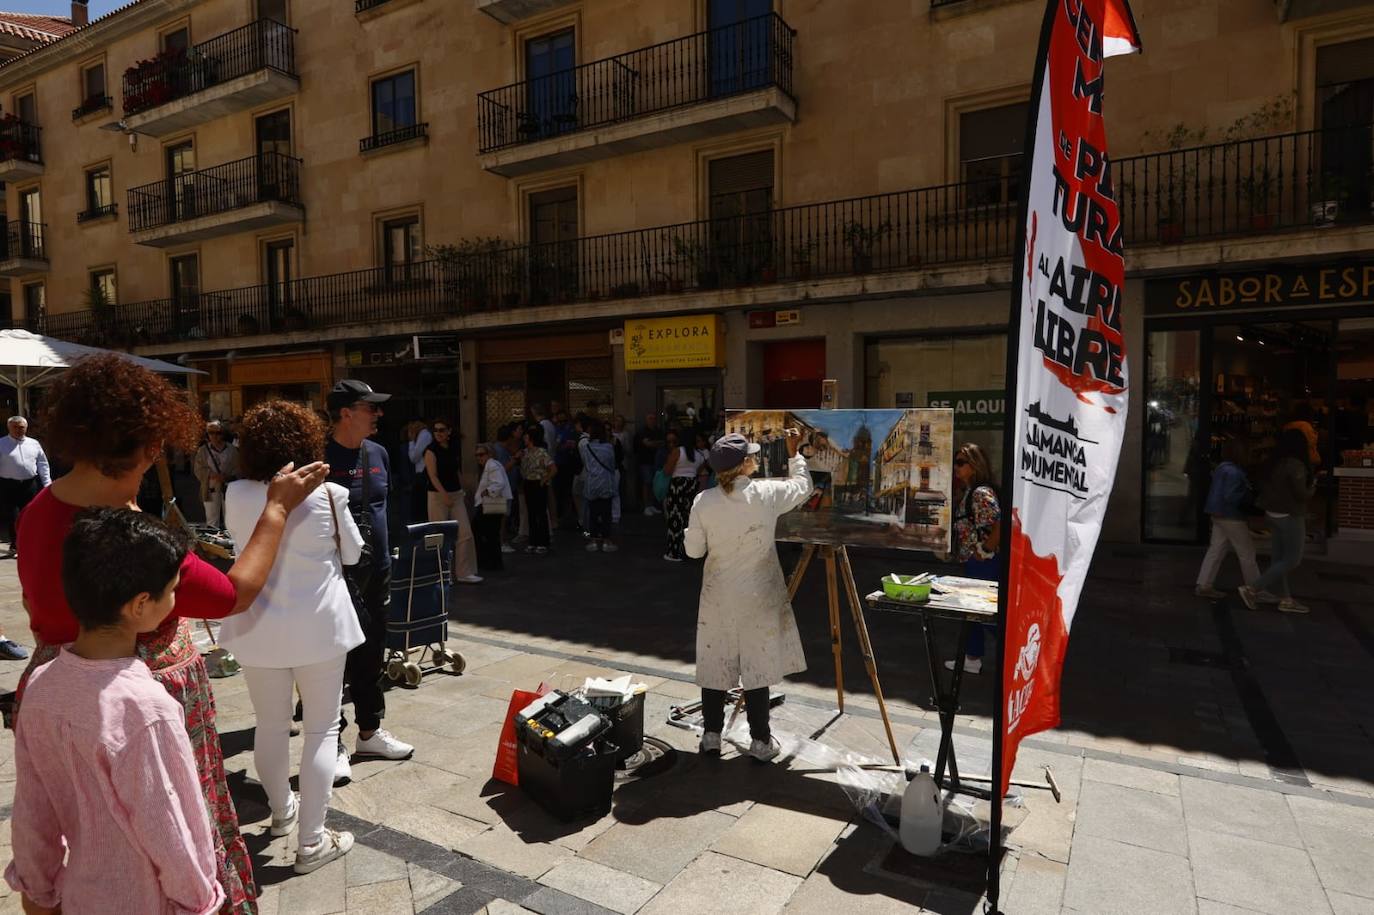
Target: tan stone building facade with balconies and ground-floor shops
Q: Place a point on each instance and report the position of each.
(465, 203)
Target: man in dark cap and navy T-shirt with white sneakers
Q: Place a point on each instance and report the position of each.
(362, 466)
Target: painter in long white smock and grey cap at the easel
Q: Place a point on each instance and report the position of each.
(745, 629)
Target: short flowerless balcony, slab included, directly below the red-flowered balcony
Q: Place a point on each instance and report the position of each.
(244, 196)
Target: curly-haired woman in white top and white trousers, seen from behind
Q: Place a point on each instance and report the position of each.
(302, 627)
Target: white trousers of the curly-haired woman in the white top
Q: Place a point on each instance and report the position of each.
(270, 689)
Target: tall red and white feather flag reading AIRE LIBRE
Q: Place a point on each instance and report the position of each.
(1072, 380)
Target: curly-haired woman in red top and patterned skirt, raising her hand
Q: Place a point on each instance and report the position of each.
(112, 420)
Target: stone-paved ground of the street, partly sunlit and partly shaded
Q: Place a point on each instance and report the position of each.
(1213, 760)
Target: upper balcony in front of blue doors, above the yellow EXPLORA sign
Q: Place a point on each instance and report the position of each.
(701, 86)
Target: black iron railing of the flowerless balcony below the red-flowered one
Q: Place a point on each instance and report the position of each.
(259, 179)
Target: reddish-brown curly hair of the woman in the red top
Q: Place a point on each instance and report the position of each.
(108, 411)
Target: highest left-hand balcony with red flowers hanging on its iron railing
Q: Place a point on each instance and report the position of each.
(230, 74)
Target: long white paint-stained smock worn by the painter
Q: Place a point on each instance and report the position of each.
(745, 627)
